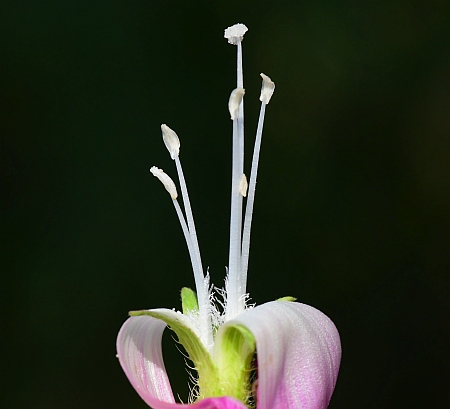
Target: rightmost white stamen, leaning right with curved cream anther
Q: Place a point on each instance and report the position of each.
(267, 90)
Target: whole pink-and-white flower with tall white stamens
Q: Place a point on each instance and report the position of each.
(278, 355)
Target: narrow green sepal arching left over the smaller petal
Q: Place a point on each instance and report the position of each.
(208, 375)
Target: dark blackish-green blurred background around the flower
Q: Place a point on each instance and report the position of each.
(352, 207)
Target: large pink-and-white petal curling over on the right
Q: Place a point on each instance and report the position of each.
(298, 351)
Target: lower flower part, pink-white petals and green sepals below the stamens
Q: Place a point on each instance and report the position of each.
(298, 351)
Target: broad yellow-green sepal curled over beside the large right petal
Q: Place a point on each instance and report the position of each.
(234, 351)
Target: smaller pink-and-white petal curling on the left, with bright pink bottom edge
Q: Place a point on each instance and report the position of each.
(140, 355)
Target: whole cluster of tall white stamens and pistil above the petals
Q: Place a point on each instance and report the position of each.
(235, 296)
